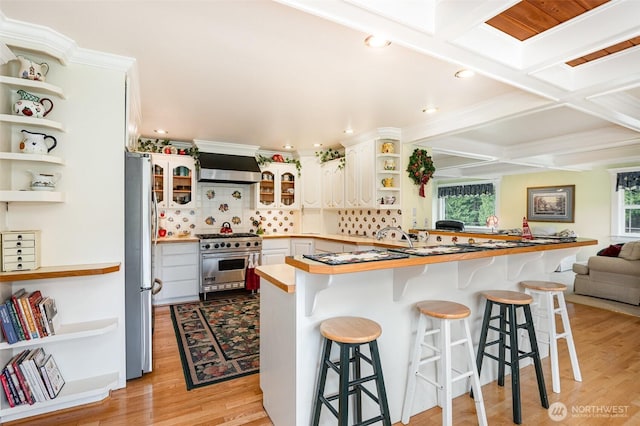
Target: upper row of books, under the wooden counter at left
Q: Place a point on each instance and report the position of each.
(27, 316)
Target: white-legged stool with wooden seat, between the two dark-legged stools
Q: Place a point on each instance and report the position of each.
(442, 312)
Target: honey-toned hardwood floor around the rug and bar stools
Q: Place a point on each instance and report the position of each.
(608, 346)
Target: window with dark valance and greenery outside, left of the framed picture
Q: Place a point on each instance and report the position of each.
(470, 203)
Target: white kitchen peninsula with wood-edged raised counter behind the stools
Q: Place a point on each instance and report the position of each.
(298, 296)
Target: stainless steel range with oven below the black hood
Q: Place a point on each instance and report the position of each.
(224, 259)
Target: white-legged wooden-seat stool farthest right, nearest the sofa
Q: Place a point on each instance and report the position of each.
(545, 309)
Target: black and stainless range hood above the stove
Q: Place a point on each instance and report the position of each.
(228, 168)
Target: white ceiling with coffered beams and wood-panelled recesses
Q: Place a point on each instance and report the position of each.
(554, 89)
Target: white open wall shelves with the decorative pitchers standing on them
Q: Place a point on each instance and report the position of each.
(25, 147)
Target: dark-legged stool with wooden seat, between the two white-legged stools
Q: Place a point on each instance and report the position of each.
(508, 302)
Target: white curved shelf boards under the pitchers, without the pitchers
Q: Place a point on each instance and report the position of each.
(16, 188)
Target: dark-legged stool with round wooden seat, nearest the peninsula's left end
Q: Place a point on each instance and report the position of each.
(350, 333)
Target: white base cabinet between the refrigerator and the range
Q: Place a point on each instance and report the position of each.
(177, 265)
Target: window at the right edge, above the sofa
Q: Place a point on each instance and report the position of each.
(625, 203)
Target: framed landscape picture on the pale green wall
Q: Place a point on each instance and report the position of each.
(551, 203)
